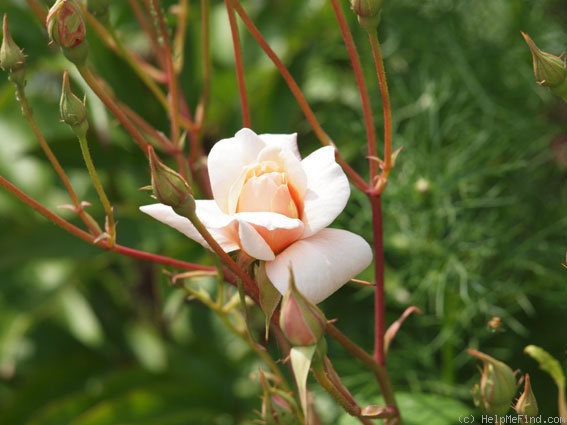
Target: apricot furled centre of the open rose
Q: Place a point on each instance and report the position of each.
(267, 189)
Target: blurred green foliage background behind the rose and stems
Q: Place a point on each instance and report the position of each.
(475, 217)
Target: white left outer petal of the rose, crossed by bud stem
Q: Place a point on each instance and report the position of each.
(222, 227)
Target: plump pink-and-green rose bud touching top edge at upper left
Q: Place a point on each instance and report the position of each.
(66, 28)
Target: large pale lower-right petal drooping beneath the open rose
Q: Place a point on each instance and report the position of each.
(321, 264)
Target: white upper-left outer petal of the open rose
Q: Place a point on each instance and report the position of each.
(228, 161)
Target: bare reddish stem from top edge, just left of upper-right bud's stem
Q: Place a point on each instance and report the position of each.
(362, 90)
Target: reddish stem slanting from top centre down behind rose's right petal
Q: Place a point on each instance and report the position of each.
(300, 98)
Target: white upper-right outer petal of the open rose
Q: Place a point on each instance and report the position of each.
(327, 190)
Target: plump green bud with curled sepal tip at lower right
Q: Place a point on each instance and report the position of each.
(497, 385)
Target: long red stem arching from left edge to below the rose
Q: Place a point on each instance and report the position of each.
(93, 240)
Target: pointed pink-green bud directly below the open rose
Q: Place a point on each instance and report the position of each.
(301, 321)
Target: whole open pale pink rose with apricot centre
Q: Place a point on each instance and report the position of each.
(275, 207)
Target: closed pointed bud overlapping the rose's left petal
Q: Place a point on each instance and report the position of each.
(169, 187)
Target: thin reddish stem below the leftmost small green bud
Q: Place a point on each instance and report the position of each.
(77, 205)
